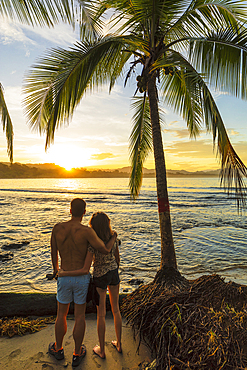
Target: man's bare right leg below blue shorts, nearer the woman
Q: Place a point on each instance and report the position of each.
(79, 327)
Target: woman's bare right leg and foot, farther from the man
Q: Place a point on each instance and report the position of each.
(114, 300)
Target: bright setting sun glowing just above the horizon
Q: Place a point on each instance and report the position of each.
(69, 156)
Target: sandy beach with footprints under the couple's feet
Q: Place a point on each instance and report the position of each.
(29, 352)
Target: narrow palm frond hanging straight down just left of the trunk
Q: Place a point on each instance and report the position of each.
(140, 142)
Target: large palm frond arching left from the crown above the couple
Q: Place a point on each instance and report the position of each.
(56, 84)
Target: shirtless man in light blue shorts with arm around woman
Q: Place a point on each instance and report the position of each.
(70, 240)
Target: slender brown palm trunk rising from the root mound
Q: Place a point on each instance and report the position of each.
(168, 256)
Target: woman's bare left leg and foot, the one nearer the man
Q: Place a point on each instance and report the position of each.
(101, 312)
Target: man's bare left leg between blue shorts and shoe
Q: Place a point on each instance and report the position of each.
(61, 324)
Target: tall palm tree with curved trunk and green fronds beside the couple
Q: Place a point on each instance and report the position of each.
(172, 48)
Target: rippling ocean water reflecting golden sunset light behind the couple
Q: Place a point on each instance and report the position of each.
(209, 234)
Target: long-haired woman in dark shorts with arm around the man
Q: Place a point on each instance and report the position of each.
(105, 275)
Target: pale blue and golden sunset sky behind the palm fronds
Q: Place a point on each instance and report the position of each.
(98, 133)
